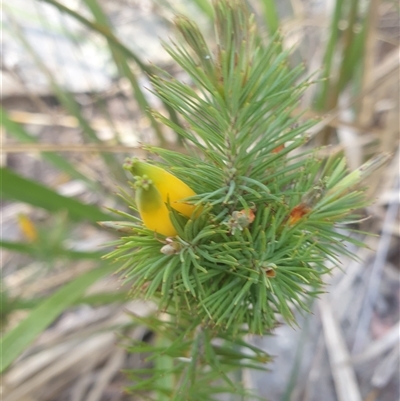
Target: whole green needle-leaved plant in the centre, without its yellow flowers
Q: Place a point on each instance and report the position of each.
(268, 216)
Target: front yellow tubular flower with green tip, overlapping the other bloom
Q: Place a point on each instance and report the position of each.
(152, 209)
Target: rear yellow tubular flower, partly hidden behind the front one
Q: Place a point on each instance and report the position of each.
(171, 188)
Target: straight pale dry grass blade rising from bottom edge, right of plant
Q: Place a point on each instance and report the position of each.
(339, 357)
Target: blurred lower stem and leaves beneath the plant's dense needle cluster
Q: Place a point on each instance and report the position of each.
(192, 363)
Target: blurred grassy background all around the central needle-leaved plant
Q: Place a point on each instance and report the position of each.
(76, 100)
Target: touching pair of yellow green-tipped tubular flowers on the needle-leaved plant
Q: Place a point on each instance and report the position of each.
(155, 187)
